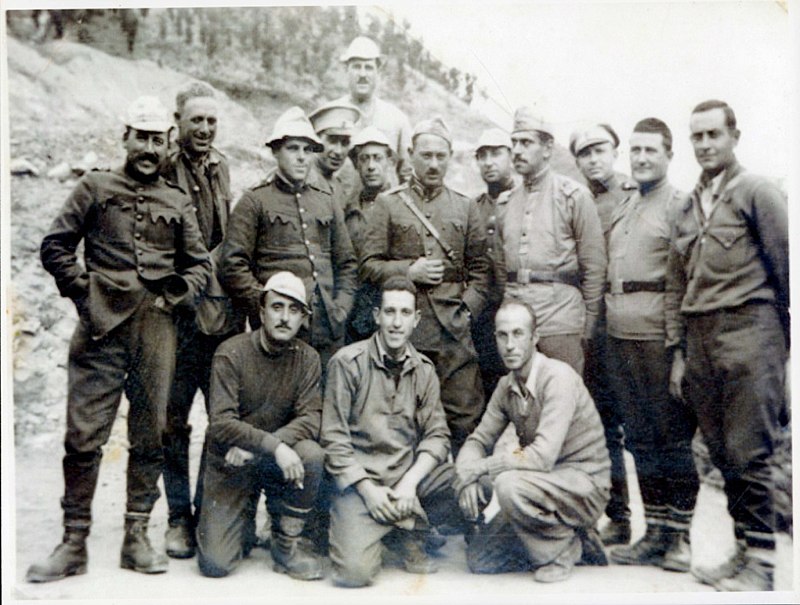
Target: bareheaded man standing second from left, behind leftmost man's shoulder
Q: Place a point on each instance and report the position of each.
(199, 168)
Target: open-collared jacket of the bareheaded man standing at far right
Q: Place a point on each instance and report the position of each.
(738, 255)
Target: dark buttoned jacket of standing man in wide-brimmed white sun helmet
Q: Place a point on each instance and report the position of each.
(277, 228)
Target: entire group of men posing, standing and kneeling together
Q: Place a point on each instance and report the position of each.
(396, 329)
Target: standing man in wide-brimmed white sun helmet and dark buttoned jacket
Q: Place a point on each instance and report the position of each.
(289, 223)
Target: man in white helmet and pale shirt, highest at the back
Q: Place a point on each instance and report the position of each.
(363, 63)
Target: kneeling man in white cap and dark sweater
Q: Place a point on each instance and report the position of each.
(263, 425)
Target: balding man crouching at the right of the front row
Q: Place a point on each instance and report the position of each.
(553, 489)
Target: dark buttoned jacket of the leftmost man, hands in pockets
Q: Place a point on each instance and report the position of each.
(137, 236)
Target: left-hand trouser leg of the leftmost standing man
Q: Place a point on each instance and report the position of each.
(96, 376)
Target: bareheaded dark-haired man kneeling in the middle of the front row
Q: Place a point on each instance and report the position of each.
(386, 442)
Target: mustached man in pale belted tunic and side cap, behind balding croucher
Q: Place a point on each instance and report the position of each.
(553, 245)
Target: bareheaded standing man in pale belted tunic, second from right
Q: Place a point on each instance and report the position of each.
(659, 427)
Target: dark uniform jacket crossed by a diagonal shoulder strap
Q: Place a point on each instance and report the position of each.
(396, 239)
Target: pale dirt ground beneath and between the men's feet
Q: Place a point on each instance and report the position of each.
(38, 529)
